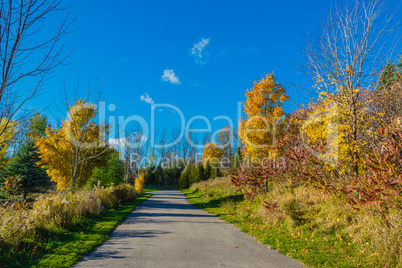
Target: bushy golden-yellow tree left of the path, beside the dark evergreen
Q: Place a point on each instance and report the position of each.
(72, 151)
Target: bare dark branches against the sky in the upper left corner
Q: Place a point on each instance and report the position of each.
(20, 23)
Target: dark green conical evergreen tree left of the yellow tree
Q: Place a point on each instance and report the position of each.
(26, 165)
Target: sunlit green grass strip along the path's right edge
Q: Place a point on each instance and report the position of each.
(313, 248)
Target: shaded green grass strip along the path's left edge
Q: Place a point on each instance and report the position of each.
(63, 248)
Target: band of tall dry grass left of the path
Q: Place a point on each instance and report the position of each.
(21, 223)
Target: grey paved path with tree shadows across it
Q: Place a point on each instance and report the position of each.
(167, 231)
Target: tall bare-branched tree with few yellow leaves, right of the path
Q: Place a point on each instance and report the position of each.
(343, 59)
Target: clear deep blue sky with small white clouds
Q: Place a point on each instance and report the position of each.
(200, 56)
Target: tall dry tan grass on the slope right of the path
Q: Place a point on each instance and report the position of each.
(303, 208)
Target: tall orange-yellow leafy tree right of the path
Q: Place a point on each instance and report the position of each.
(263, 109)
